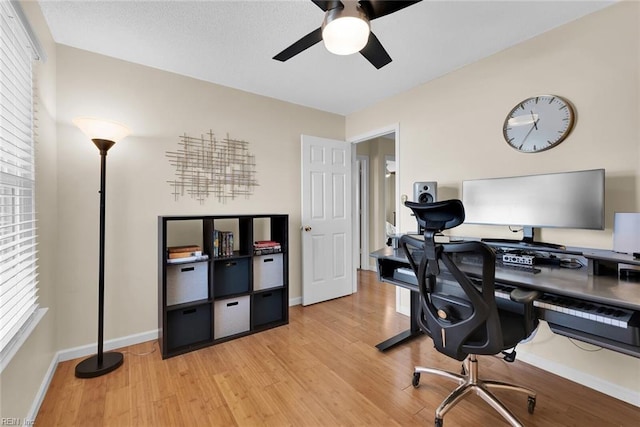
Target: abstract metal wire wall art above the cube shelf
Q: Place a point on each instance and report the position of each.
(207, 166)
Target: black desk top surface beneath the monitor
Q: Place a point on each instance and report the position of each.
(575, 283)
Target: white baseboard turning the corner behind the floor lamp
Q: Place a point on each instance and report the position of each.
(85, 350)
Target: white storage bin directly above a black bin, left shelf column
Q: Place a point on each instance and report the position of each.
(187, 282)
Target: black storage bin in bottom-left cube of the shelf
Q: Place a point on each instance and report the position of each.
(188, 326)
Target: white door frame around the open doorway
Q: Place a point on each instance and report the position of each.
(395, 128)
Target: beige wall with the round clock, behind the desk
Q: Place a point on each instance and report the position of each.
(453, 127)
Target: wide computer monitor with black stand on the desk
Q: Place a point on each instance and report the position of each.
(558, 200)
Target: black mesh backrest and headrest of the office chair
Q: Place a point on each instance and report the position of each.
(460, 316)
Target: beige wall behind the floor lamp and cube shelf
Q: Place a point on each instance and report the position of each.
(158, 106)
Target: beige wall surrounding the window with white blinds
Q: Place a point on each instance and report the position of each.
(23, 377)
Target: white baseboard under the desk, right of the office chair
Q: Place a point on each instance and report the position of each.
(580, 377)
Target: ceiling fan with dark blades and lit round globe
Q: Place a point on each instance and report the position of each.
(346, 30)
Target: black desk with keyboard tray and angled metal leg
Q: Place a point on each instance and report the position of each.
(571, 284)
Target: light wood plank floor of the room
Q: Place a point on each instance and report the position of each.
(320, 370)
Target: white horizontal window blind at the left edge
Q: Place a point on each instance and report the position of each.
(18, 273)
